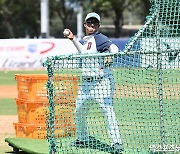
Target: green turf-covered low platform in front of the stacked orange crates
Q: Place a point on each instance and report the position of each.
(33, 146)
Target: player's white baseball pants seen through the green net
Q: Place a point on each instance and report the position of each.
(102, 92)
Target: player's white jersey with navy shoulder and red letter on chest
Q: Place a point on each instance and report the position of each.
(95, 43)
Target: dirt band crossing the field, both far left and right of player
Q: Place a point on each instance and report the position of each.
(131, 91)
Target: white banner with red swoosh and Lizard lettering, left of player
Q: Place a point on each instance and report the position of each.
(31, 53)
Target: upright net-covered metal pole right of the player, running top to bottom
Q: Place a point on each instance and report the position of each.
(160, 81)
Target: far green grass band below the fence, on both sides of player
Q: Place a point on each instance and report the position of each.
(124, 75)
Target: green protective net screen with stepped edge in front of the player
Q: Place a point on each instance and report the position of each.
(129, 105)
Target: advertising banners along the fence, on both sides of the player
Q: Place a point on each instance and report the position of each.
(31, 53)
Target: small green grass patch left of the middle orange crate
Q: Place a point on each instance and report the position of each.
(8, 106)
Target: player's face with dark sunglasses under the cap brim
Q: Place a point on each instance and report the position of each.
(91, 26)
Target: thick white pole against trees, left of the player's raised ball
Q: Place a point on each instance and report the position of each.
(44, 18)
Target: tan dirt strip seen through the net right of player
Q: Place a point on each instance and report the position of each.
(147, 91)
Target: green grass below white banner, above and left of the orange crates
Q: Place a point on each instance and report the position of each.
(8, 77)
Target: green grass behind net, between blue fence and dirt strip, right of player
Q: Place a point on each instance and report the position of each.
(145, 76)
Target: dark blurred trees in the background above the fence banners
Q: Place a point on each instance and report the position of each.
(21, 18)
